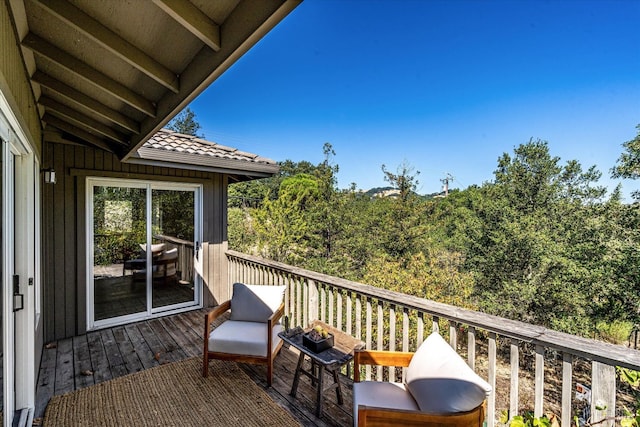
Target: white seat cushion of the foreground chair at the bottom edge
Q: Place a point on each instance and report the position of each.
(381, 395)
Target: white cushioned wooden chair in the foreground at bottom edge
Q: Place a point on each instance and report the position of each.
(440, 389)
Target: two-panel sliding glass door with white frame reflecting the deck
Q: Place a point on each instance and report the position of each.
(142, 239)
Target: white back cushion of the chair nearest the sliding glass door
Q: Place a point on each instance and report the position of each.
(255, 303)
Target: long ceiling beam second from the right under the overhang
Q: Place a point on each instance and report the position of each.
(115, 44)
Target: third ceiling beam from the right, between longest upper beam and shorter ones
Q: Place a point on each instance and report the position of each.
(89, 74)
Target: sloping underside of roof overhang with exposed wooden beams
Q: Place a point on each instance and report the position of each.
(111, 74)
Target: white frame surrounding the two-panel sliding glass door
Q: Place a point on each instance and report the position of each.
(150, 312)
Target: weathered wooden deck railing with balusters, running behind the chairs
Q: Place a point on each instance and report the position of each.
(494, 347)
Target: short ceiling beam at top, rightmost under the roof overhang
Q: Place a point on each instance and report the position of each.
(193, 19)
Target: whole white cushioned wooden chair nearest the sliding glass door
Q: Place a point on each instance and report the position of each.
(250, 335)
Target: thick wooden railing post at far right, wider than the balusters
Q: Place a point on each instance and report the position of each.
(603, 394)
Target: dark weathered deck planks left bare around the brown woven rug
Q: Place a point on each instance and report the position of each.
(98, 356)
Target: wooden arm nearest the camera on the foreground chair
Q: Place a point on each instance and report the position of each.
(373, 416)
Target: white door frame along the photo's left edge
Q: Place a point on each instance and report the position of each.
(21, 197)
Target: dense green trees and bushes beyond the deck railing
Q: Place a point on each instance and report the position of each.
(542, 243)
